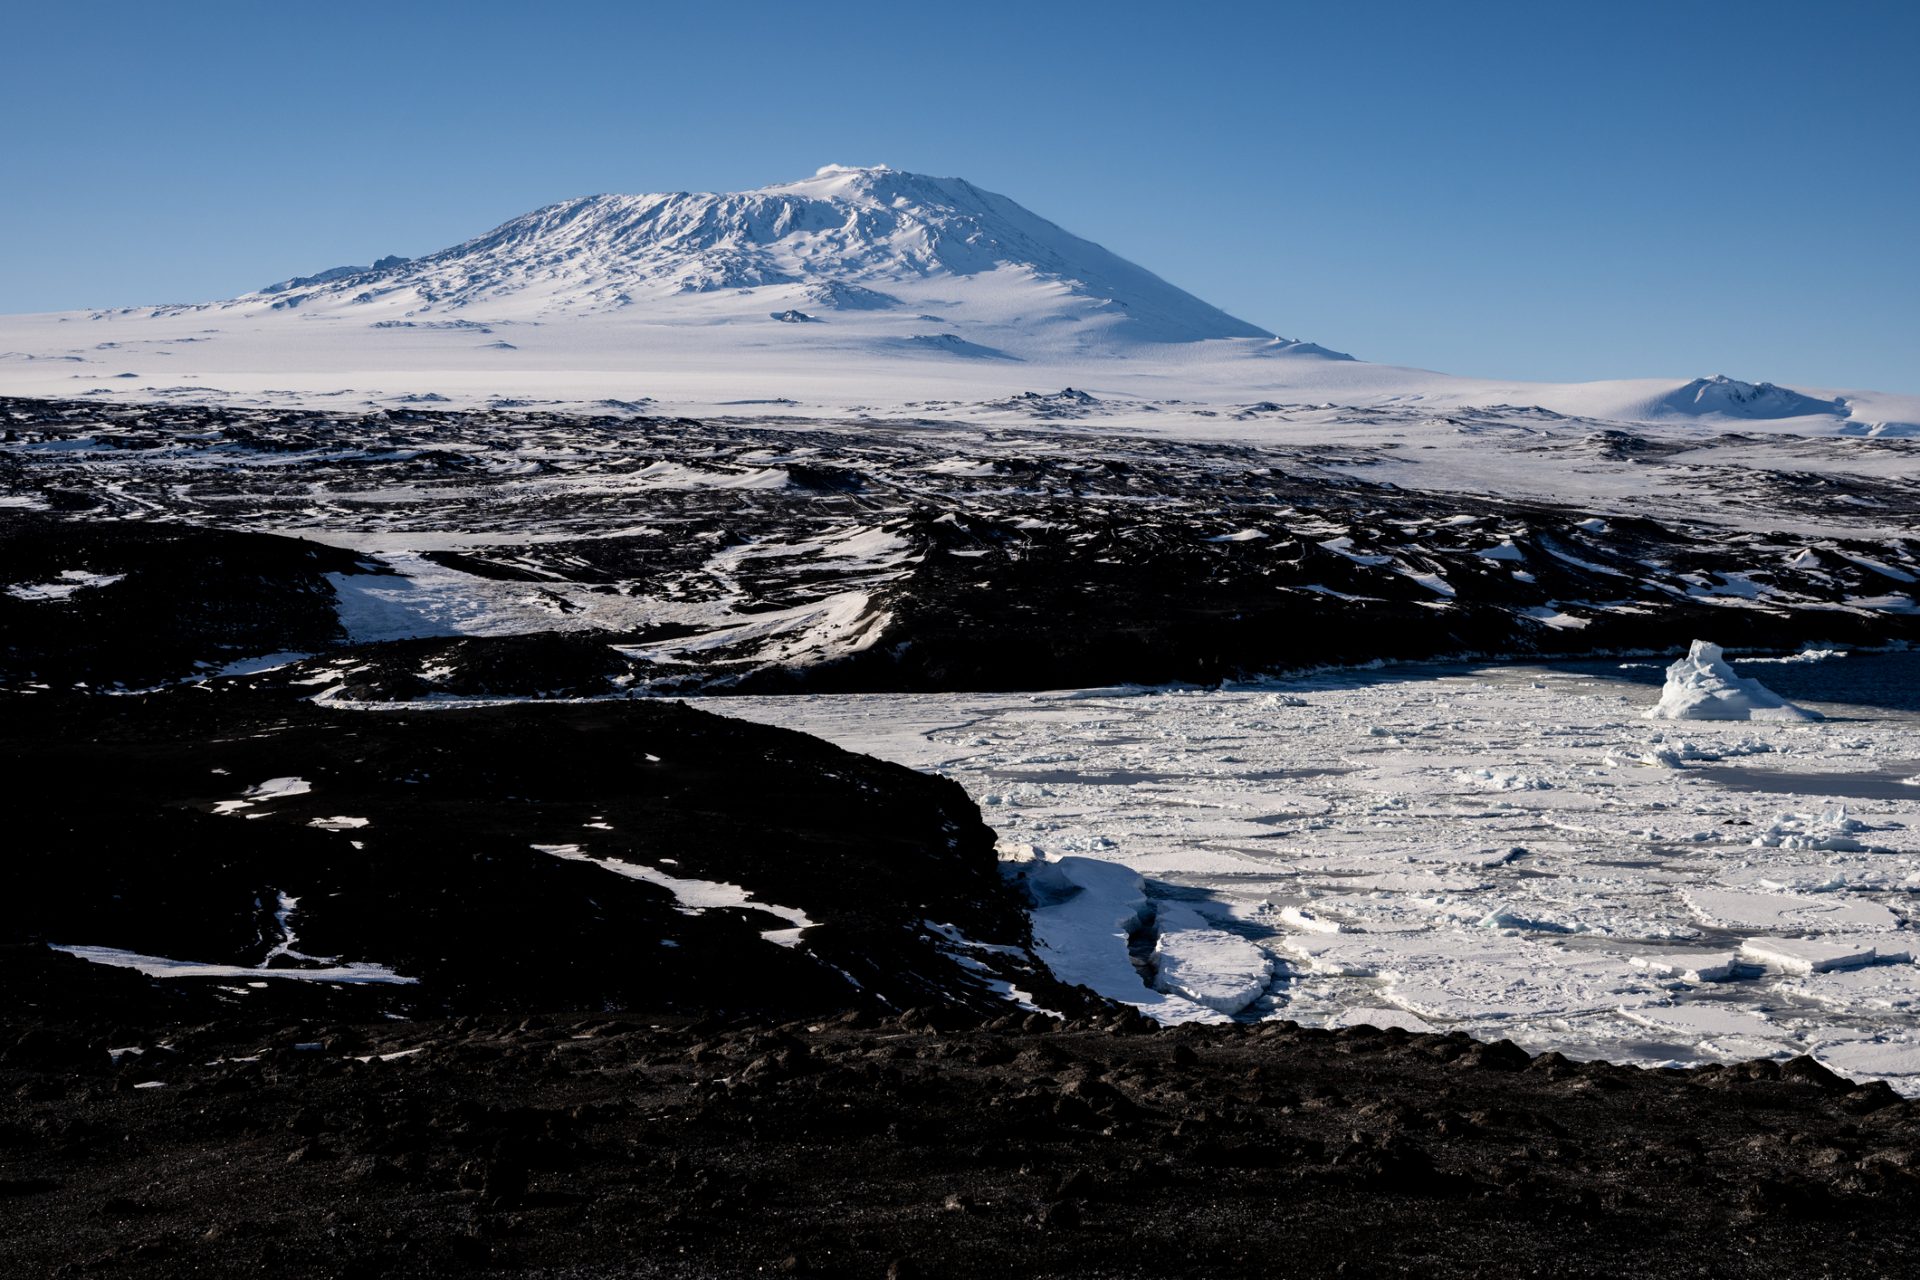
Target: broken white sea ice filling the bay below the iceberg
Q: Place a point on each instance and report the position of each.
(1516, 853)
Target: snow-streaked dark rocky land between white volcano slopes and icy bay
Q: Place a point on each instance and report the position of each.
(934, 556)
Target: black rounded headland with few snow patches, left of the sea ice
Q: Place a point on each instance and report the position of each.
(408, 840)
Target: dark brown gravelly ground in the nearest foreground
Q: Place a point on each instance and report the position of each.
(596, 1145)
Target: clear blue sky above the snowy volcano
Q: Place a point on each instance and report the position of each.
(1539, 191)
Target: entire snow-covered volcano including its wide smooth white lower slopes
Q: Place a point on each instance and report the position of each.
(855, 291)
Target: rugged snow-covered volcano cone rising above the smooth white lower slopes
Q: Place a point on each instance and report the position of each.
(942, 256)
